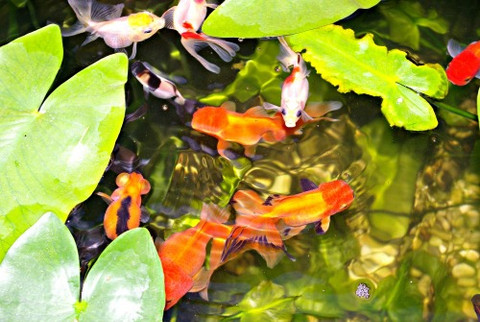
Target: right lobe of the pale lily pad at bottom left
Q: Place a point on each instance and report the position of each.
(126, 283)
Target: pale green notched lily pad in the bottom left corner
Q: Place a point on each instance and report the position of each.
(43, 279)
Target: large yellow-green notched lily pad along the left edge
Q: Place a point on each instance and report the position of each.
(54, 150)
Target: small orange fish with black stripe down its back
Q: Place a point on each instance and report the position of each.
(123, 212)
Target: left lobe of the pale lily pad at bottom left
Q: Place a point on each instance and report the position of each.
(39, 276)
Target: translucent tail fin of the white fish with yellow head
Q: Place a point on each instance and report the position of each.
(90, 10)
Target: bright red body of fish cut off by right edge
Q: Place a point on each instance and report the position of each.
(463, 68)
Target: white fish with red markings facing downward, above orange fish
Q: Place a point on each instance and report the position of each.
(295, 88)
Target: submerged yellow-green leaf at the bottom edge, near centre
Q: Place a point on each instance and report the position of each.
(266, 302)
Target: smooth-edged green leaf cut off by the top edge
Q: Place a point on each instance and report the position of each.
(269, 18)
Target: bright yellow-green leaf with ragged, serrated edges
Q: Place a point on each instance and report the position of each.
(361, 66)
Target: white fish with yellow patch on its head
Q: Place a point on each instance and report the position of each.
(105, 21)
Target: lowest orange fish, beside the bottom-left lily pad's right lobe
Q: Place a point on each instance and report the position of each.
(183, 254)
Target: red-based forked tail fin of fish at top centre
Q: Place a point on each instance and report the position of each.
(193, 42)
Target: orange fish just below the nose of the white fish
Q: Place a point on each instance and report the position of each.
(246, 129)
